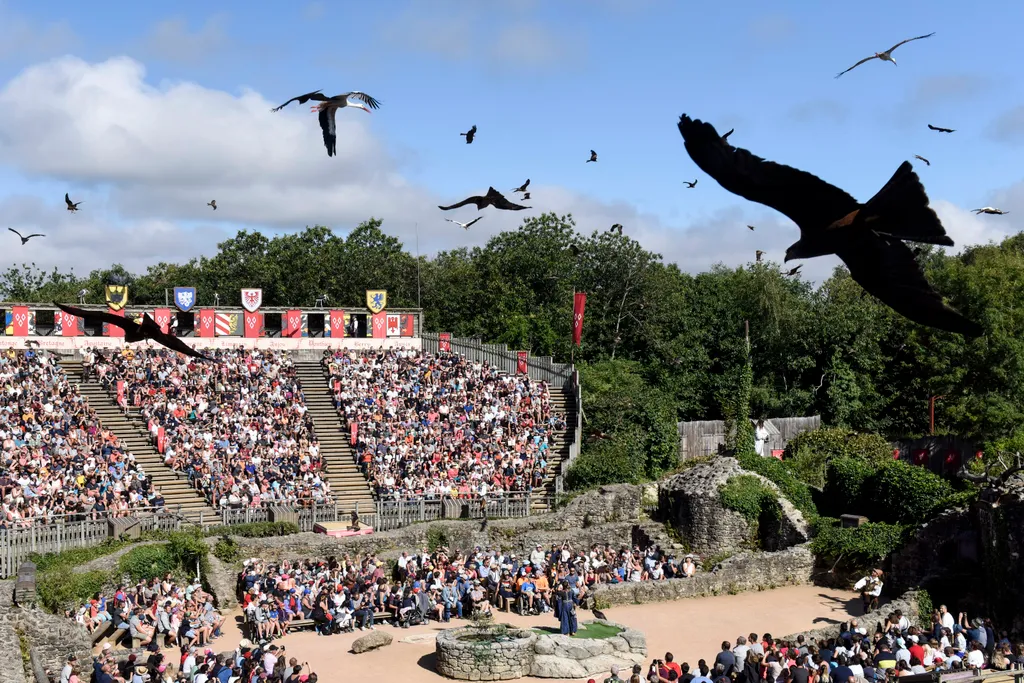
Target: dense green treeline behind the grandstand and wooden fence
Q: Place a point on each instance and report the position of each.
(660, 345)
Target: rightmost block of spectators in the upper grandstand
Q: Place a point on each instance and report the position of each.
(440, 425)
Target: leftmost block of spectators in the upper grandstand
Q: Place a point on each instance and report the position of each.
(58, 458)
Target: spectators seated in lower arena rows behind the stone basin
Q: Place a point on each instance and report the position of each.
(347, 593)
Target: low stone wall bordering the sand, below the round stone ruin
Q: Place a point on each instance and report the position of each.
(744, 572)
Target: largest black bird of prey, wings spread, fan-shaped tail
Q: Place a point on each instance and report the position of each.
(869, 238)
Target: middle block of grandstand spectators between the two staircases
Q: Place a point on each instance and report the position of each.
(239, 429)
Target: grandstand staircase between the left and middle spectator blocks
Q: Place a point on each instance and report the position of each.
(179, 494)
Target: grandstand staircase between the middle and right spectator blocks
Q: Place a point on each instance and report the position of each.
(348, 484)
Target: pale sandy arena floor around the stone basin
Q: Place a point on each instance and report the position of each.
(690, 629)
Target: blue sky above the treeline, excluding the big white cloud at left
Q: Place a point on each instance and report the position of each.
(547, 81)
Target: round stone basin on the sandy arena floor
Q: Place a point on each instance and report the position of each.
(496, 653)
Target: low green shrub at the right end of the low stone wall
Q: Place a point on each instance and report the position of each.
(857, 547)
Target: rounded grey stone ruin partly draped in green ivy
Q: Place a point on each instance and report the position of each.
(691, 503)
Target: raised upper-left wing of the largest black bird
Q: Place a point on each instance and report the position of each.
(806, 199)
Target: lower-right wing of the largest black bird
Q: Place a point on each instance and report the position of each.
(887, 270)
